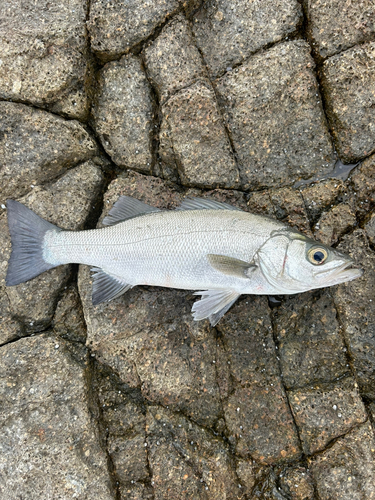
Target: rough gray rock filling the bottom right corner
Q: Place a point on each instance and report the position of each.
(346, 470)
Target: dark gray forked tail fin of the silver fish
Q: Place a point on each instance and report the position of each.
(27, 232)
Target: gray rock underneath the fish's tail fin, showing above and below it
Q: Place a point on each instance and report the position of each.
(67, 203)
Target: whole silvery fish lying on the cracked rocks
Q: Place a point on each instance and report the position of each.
(215, 249)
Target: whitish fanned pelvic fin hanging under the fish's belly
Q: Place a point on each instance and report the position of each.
(213, 304)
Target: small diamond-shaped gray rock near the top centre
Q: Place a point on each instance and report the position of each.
(173, 61)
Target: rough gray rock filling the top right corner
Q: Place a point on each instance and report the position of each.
(335, 26)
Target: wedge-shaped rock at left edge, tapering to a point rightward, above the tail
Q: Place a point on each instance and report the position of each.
(36, 147)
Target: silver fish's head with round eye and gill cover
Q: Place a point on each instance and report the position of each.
(293, 263)
